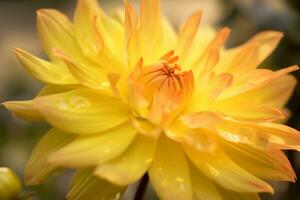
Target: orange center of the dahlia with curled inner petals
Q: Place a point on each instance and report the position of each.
(160, 91)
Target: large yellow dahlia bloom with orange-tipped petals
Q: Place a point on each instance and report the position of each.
(128, 96)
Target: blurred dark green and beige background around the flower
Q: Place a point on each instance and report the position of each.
(244, 17)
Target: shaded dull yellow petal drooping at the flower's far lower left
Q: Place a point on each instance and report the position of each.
(38, 168)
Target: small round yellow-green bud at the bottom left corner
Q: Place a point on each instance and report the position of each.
(10, 185)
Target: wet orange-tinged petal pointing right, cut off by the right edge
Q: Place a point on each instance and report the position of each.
(262, 135)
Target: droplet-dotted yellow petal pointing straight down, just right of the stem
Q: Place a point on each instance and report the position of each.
(169, 172)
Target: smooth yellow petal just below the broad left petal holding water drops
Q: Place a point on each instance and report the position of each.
(95, 149)
